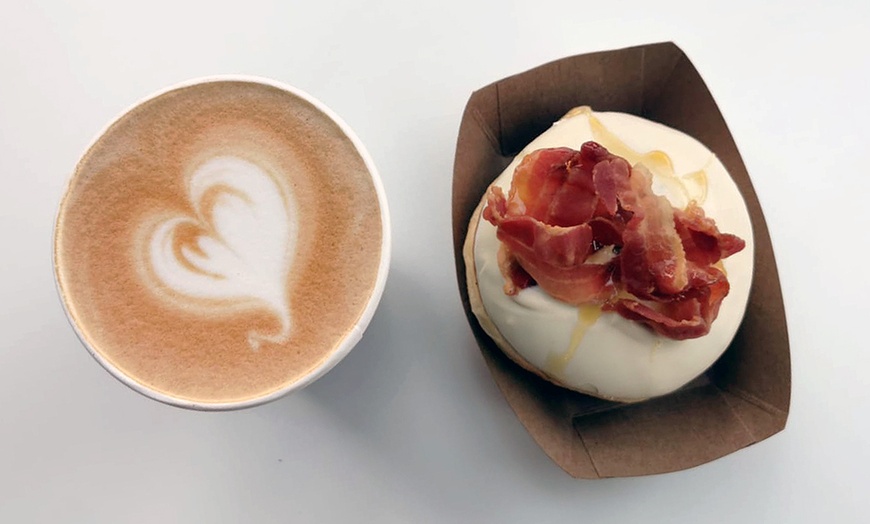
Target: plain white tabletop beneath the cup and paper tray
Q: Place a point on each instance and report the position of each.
(410, 427)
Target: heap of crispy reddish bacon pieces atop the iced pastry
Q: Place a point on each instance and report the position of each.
(564, 205)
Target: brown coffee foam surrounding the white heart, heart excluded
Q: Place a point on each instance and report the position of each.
(193, 348)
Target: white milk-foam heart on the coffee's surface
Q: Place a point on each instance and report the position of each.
(236, 250)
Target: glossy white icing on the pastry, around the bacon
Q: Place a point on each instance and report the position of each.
(618, 358)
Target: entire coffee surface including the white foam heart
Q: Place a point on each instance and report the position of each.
(219, 241)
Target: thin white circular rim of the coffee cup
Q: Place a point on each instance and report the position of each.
(351, 338)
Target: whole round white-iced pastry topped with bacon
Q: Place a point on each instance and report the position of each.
(626, 294)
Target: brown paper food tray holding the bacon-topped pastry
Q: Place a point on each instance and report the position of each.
(744, 397)
